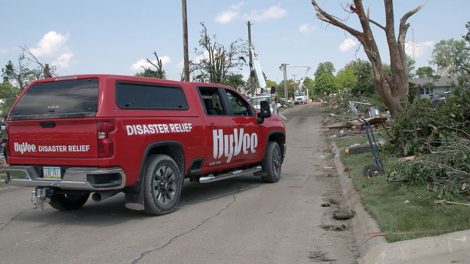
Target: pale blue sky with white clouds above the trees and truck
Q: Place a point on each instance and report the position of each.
(114, 36)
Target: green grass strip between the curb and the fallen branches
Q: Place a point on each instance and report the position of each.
(386, 201)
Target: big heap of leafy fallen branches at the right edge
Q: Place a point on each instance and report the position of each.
(440, 139)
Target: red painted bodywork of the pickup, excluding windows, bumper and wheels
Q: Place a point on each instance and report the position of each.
(221, 142)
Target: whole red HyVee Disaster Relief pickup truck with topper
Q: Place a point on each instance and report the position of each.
(104, 134)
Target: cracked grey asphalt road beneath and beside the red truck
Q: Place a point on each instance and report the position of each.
(241, 220)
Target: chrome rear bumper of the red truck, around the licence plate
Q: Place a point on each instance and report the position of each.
(75, 178)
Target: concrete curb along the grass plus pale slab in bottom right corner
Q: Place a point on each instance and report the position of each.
(447, 248)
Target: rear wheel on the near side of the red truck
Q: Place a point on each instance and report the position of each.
(163, 183)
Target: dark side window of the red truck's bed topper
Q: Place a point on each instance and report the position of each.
(150, 97)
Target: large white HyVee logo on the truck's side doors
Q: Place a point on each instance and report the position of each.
(232, 145)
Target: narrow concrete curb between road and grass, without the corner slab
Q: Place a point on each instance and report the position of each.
(362, 222)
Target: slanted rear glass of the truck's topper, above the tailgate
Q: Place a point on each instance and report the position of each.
(59, 99)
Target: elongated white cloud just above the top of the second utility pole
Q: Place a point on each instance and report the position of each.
(233, 13)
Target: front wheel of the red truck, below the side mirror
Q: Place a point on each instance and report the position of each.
(272, 163)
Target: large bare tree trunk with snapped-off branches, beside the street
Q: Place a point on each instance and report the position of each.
(391, 88)
